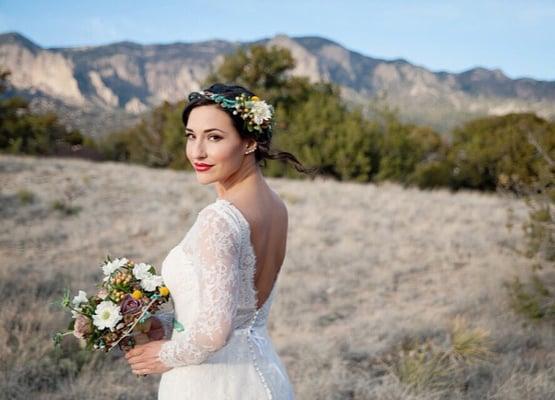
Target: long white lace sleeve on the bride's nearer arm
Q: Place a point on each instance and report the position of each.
(216, 256)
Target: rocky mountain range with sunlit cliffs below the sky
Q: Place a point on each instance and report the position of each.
(102, 88)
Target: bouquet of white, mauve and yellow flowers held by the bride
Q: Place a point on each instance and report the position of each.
(119, 312)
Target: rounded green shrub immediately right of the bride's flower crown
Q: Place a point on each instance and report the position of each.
(324, 133)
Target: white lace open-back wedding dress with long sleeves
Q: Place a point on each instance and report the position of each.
(220, 348)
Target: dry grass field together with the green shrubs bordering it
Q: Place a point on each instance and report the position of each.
(388, 291)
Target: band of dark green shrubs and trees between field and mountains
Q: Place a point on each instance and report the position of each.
(344, 142)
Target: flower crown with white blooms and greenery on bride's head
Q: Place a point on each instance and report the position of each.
(257, 114)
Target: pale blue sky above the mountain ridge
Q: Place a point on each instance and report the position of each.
(516, 36)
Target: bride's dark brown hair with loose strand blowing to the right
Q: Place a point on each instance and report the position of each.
(263, 151)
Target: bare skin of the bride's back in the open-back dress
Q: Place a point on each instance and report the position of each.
(268, 221)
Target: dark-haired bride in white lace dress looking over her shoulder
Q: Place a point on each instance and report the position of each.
(222, 274)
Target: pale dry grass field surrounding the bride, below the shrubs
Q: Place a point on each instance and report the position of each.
(386, 292)
